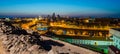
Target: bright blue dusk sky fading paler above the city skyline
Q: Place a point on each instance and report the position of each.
(62, 7)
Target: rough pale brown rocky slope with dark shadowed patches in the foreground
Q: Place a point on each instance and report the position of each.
(14, 40)
